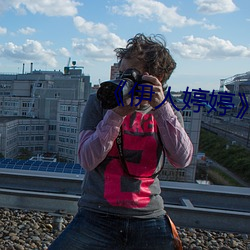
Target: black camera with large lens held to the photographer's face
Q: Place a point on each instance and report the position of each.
(112, 93)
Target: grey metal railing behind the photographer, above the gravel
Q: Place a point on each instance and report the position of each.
(212, 207)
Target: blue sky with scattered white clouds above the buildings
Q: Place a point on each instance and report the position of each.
(208, 39)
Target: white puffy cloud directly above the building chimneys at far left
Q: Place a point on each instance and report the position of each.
(29, 51)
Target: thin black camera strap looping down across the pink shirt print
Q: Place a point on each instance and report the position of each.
(119, 142)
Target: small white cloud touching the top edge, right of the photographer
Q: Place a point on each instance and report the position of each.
(211, 7)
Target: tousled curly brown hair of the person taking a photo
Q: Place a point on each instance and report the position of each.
(152, 51)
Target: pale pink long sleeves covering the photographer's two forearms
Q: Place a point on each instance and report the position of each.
(94, 145)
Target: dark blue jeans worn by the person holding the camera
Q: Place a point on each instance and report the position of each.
(94, 231)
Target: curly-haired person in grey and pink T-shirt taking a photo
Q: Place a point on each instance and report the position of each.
(122, 150)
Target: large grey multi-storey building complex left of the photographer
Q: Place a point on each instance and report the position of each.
(40, 111)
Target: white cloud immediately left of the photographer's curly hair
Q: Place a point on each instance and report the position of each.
(100, 43)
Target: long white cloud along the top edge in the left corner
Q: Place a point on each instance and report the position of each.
(46, 7)
